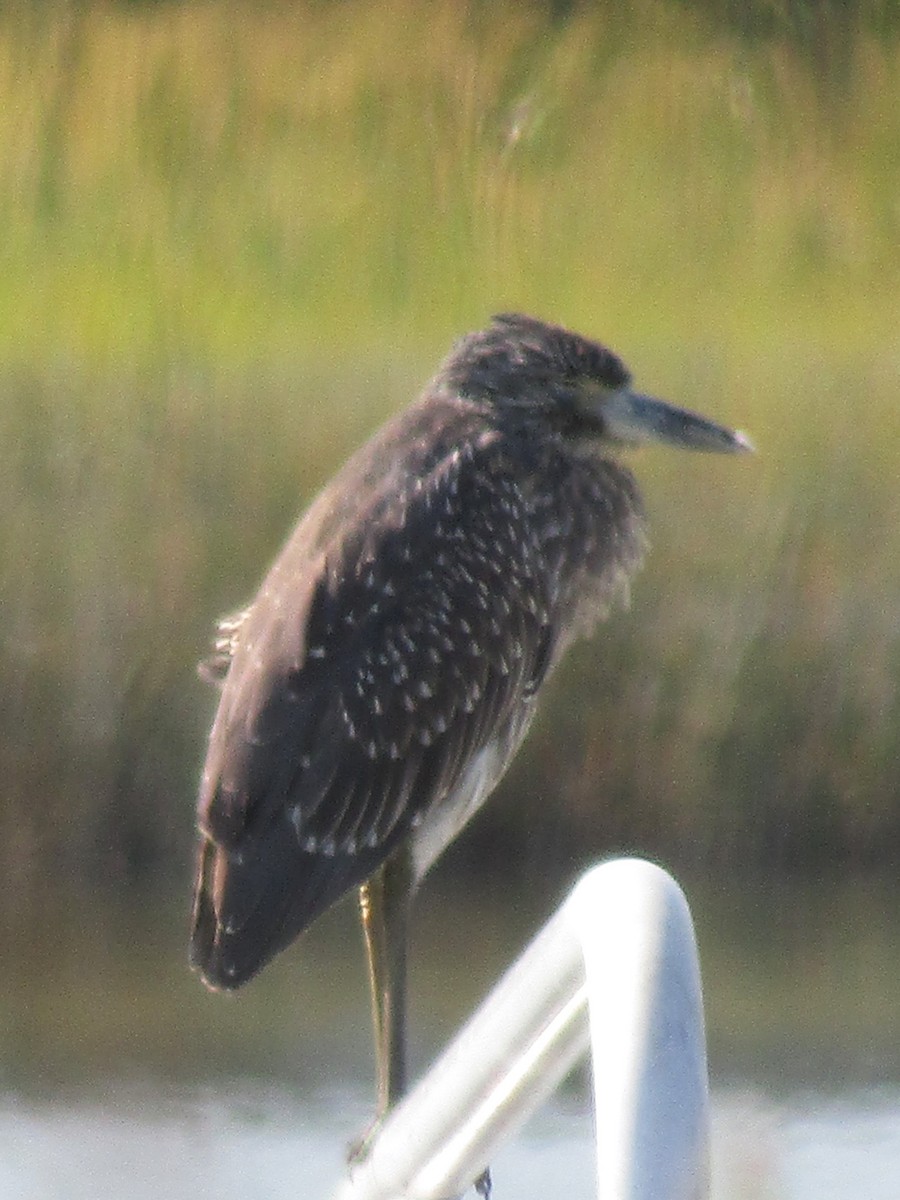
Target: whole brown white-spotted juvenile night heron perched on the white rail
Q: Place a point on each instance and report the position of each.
(379, 686)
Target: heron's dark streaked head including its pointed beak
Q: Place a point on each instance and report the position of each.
(544, 376)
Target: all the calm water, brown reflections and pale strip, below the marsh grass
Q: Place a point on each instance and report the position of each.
(122, 1076)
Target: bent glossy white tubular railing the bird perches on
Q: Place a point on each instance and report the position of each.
(615, 971)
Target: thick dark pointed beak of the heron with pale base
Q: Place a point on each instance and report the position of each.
(632, 418)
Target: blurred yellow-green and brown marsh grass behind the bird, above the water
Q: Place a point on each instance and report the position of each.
(236, 237)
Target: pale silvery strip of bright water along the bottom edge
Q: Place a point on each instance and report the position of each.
(250, 1142)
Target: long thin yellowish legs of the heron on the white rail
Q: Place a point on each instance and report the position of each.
(385, 907)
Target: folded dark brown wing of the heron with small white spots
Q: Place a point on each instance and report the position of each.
(368, 677)
